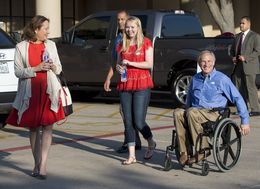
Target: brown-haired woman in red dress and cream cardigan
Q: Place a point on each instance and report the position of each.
(37, 105)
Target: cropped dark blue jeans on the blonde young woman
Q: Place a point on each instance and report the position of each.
(134, 106)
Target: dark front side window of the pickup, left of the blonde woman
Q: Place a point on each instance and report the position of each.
(95, 28)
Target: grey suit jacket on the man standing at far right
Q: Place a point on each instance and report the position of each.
(250, 50)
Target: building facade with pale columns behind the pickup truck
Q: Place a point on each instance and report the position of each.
(14, 14)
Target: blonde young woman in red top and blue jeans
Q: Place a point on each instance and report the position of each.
(135, 54)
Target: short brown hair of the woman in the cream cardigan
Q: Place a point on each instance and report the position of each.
(29, 29)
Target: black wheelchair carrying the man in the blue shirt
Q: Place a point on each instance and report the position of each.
(224, 139)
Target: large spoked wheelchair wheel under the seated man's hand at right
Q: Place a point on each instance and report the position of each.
(226, 144)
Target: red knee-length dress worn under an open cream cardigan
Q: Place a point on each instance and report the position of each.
(39, 112)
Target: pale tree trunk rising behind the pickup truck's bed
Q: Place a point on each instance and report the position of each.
(223, 13)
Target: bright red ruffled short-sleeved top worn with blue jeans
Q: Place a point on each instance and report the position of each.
(137, 79)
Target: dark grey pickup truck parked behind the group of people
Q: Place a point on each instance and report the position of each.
(86, 50)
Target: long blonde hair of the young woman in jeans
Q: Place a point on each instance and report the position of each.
(139, 36)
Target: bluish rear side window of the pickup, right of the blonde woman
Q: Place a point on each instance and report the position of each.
(180, 26)
